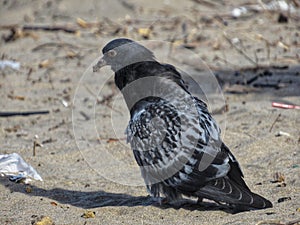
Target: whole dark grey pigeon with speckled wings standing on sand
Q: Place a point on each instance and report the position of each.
(174, 139)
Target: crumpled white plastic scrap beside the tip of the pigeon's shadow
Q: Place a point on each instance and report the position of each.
(13, 165)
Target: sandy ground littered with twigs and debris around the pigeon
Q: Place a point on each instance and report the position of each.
(91, 167)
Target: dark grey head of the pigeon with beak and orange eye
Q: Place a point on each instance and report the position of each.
(122, 52)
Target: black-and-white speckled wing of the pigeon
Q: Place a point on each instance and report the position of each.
(176, 148)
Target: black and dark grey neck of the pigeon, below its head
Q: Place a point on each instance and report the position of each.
(149, 80)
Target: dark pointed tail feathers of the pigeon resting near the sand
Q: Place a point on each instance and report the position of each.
(225, 190)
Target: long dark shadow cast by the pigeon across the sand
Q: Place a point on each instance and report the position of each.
(96, 199)
